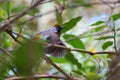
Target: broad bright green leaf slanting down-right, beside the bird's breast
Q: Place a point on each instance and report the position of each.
(74, 41)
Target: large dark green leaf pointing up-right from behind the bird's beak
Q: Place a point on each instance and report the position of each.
(70, 24)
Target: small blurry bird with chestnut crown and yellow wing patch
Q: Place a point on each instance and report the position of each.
(52, 37)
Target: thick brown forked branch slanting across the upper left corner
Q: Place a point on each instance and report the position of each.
(6, 26)
